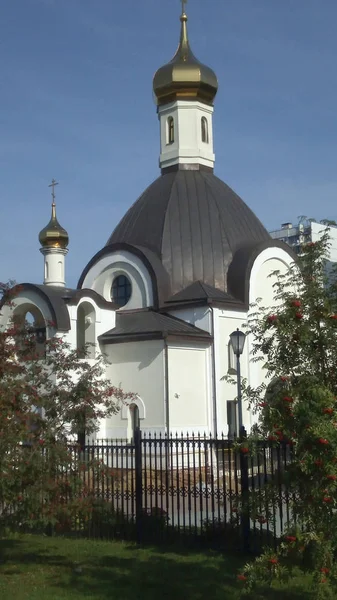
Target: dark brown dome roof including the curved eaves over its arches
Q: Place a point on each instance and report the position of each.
(195, 236)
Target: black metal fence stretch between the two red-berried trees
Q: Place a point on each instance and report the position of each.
(195, 488)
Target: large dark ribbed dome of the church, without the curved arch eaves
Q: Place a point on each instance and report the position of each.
(195, 224)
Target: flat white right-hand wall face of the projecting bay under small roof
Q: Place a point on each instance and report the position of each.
(189, 389)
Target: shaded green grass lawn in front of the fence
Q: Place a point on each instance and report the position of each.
(36, 568)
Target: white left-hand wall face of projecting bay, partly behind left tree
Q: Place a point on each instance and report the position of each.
(138, 367)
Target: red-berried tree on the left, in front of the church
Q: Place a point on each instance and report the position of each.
(48, 401)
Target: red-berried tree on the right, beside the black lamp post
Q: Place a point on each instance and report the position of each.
(296, 342)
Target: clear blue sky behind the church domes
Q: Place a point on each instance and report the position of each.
(76, 104)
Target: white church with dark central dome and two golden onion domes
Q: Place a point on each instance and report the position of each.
(175, 278)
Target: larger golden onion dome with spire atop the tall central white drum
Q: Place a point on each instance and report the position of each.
(184, 78)
